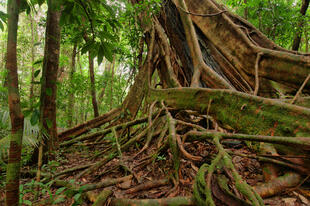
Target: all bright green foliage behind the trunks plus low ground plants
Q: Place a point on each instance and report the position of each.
(107, 30)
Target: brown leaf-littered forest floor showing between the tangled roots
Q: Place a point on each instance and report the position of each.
(151, 176)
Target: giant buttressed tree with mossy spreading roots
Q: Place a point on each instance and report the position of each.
(217, 64)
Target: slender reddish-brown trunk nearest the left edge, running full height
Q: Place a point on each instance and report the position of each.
(17, 118)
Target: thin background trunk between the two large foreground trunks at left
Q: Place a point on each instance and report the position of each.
(31, 96)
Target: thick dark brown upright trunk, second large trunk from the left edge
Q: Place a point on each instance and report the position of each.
(49, 76)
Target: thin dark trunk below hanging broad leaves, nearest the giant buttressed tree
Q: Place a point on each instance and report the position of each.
(92, 85)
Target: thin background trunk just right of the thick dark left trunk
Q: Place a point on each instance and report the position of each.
(71, 95)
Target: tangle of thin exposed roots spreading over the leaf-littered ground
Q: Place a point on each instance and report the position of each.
(172, 135)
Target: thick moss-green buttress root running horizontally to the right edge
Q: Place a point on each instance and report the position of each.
(245, 113)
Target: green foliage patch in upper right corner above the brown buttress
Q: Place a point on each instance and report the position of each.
(278, 19)
